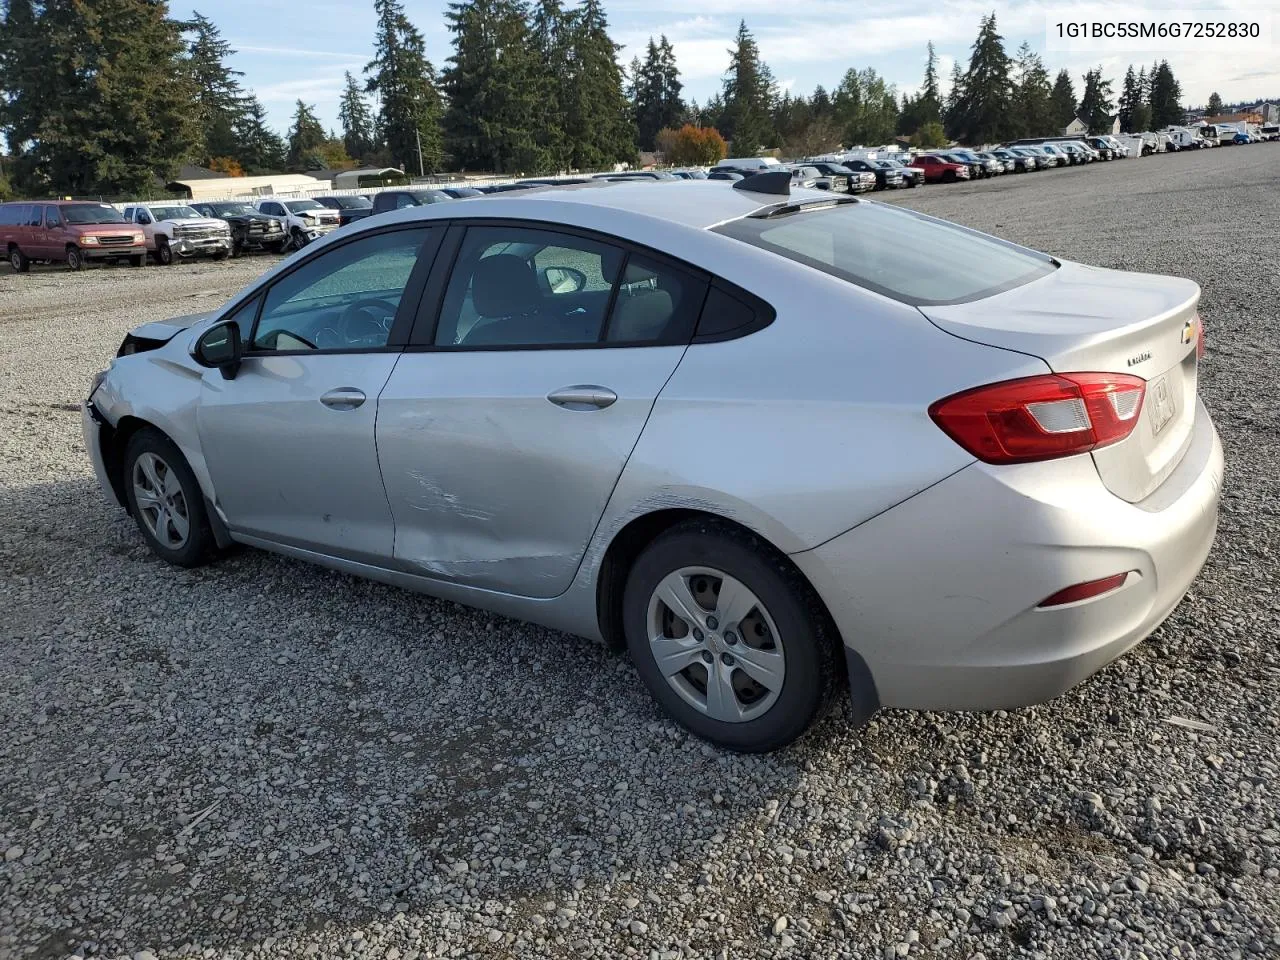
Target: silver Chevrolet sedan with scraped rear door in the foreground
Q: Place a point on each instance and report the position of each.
(776, 444)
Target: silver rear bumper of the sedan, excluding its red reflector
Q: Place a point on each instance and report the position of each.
(940, 596)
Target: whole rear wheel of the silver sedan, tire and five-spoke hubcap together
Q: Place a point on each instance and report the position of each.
(728, 639)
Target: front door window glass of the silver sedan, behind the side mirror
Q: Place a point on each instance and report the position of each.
(345, 299)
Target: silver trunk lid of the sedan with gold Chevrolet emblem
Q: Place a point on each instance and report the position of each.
(1087, 319)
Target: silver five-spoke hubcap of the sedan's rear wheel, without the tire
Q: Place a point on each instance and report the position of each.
(716, 644)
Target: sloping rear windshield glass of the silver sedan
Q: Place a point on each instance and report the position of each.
(895, 253)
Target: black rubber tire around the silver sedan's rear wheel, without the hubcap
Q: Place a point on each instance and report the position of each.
(813, 666)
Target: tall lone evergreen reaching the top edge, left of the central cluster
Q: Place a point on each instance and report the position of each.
(405, 81)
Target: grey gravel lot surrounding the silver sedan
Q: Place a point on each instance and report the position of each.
(268, 760)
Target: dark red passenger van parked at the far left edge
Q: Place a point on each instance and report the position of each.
(72, 234)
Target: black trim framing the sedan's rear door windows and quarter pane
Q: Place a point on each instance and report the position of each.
(422, 339)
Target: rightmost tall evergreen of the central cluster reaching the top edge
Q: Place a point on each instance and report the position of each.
(598, 124)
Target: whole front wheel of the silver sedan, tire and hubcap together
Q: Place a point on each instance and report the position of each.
(167, 501)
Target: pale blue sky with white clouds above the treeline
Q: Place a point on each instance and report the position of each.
(290, 49)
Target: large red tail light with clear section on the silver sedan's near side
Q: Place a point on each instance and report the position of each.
(1043, 418)
